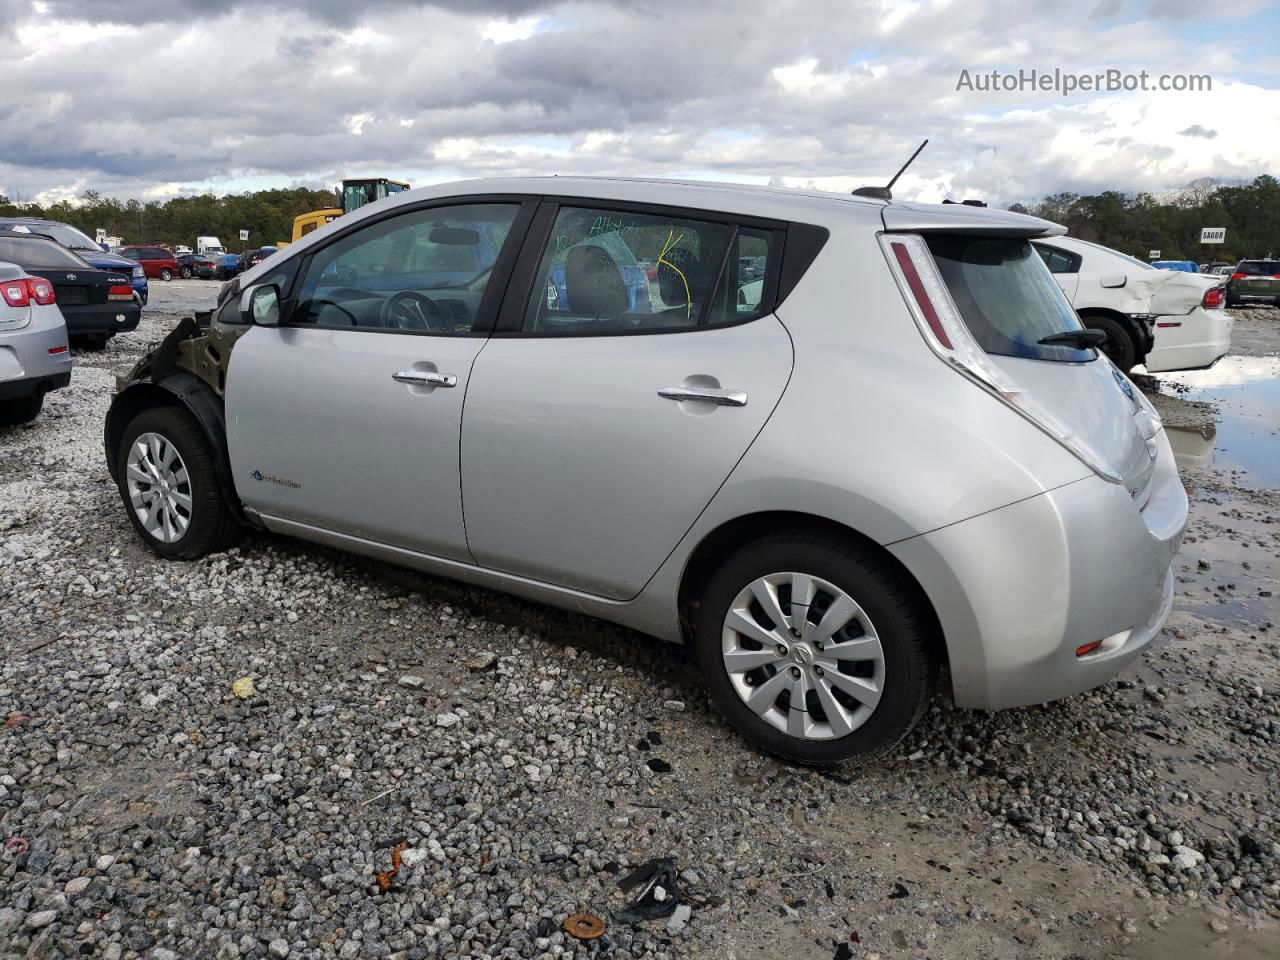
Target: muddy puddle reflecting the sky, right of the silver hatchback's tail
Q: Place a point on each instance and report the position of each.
(1226, 418)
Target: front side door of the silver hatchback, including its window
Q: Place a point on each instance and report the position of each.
(348, 417)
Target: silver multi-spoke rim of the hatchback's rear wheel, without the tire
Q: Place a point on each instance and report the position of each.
(803, 656)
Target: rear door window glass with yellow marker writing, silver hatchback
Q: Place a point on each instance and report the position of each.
(607, 272)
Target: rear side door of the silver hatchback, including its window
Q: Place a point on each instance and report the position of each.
(632, 371)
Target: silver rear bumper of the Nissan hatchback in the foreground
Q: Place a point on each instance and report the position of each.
(1021, 589)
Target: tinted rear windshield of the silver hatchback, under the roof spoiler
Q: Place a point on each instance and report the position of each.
(1007, 296)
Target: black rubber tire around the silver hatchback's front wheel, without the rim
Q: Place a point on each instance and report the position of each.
(212, 527)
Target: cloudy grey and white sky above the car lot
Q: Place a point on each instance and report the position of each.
(152, 99)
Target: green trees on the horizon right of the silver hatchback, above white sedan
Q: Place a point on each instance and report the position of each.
(1140, 223)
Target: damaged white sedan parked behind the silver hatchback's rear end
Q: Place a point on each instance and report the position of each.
(1165, 319)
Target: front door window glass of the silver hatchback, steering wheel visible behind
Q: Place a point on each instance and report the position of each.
(422, 272)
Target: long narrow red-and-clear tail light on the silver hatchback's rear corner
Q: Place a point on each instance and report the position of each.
(949, 337)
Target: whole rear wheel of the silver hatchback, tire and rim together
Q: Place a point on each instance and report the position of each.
(813, 651)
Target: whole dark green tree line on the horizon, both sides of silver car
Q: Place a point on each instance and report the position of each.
(1133, 223)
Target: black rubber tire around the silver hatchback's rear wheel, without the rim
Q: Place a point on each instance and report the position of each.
(908, 668)
